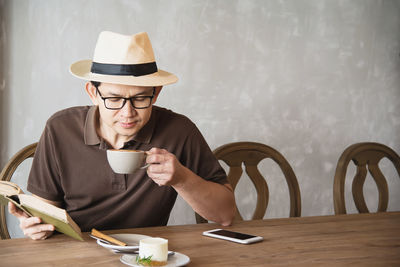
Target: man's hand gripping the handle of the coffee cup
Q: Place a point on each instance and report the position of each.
(165, 169)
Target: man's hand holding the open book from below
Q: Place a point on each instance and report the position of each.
(31, 226)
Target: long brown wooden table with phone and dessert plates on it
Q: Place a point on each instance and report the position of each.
(359, 239)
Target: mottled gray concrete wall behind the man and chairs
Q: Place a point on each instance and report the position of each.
(308, 78)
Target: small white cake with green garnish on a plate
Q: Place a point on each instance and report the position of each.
(153, 251)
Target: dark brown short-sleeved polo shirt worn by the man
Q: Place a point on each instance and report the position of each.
(70, 165)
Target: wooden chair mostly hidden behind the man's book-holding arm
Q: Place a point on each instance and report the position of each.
(6, 175)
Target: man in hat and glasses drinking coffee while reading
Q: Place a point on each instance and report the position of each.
(70, 168)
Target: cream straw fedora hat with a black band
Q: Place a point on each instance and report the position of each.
(123, 59)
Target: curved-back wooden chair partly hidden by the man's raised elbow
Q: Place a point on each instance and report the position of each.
(250, 154)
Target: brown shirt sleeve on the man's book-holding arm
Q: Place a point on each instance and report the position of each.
(44, 177)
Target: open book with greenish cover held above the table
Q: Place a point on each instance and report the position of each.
(34, 206)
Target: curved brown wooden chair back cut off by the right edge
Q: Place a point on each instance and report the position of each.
(363, 155)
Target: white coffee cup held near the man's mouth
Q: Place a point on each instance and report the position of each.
(126, 161)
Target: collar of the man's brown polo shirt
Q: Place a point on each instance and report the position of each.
(90, 135)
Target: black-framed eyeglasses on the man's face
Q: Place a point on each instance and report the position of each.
(138, 102)
